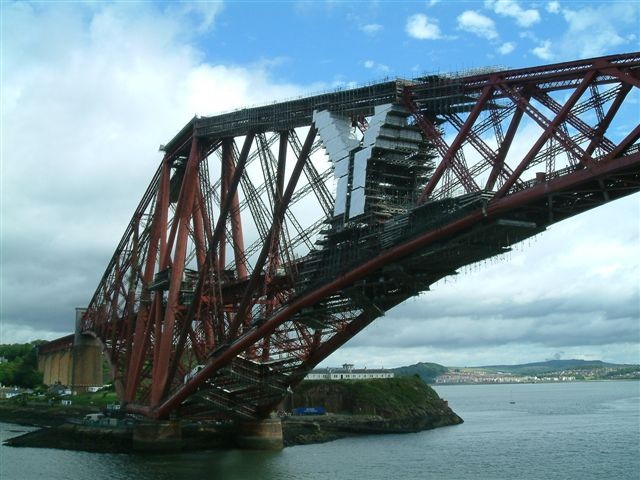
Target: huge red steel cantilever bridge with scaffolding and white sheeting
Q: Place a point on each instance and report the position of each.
(270, 236)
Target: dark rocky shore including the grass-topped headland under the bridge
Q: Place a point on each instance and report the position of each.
(399, 406)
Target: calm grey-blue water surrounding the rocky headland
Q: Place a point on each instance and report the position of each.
(553, 431)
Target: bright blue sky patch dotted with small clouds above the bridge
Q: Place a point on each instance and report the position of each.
(308, 42)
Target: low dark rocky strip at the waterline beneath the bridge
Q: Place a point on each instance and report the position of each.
(59, 430)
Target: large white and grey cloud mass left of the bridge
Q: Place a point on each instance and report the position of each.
(93, 90)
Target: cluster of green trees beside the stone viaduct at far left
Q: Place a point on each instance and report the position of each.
(19, 364)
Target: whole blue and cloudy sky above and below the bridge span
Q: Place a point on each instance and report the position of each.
(89, 90)
